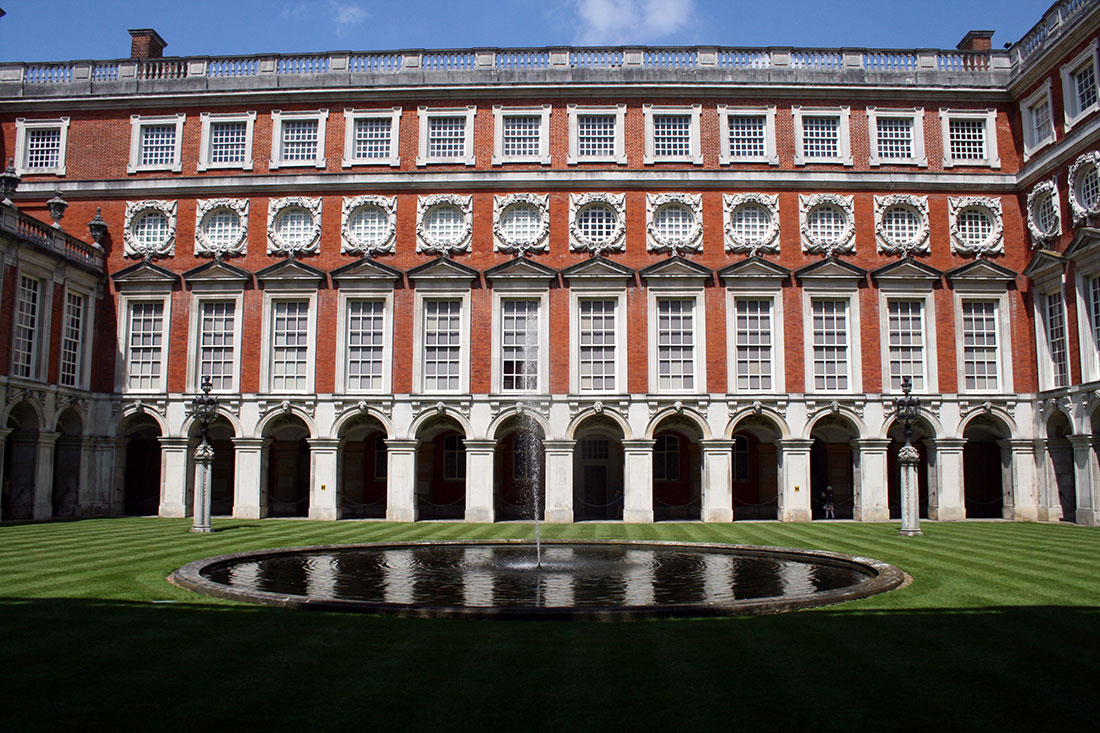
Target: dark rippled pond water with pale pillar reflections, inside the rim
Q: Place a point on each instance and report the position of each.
(486, 576)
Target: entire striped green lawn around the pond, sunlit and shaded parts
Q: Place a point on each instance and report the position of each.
(999, 630)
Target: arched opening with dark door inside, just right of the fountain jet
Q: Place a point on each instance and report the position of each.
(598, 471)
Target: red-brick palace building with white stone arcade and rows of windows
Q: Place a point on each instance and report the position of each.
(635, 283)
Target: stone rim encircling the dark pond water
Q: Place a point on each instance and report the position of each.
(881, 577)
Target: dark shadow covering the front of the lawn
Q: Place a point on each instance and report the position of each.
(182, 665)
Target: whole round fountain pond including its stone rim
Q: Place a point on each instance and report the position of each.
(576, 579)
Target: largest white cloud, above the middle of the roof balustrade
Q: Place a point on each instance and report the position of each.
(613, 23)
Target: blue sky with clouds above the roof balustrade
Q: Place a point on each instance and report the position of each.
(45, 30)
